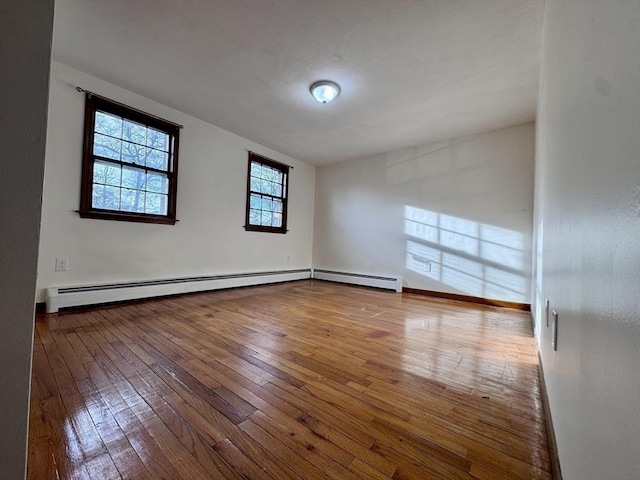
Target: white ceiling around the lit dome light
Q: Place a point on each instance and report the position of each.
(411, 72)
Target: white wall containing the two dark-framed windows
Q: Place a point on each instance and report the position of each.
(209, 237)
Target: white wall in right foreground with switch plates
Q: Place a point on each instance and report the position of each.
(588, 231)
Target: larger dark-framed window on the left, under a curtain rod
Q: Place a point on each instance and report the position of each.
(130, 164)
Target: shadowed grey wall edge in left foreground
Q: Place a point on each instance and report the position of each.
(24, 87)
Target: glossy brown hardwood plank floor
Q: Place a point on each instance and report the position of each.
(304, 380)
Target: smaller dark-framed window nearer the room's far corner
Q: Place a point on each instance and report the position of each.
(266, 195)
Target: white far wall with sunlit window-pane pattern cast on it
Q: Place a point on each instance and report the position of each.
(464, 206)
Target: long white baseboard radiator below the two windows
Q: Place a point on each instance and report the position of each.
(62, 297)
